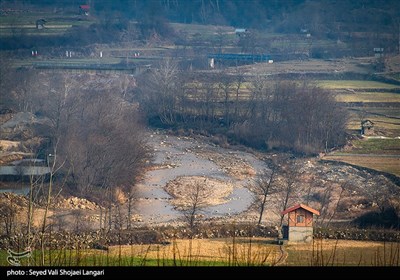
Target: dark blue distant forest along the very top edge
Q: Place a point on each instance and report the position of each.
(284, 14)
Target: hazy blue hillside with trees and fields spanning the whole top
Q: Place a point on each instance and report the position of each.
(352, 28)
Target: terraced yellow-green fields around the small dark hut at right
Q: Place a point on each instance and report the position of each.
(382, 108)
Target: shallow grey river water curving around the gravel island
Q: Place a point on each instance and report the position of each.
(182, 157)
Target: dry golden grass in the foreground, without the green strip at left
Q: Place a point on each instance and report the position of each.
(261, 251)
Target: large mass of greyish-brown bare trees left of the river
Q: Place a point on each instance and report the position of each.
(88, 129)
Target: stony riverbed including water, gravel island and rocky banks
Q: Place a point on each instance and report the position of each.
(227, 174)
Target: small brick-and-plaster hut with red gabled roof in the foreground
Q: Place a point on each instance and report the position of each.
(300, 223)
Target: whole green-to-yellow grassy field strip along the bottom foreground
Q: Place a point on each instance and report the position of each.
(227, 252)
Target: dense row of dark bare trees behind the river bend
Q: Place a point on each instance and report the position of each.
(255, 111)
